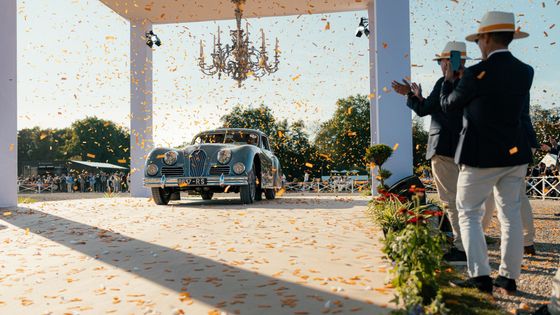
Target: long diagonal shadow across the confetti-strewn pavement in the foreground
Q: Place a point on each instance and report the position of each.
(209, 281)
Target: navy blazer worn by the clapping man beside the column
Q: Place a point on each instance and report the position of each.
(444, 127)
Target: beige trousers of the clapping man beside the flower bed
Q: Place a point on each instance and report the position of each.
(446, 173)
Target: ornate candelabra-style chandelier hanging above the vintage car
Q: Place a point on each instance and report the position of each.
(239, 60)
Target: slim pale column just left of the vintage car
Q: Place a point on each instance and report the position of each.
(141, 141)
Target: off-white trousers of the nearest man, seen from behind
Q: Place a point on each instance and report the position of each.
(473, 188)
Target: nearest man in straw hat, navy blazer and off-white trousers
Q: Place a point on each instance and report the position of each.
(494, 149)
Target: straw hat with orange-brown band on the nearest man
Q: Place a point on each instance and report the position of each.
(496, 21)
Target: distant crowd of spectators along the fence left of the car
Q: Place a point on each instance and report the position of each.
(76, 182)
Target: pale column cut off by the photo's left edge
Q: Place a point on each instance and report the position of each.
(8, 103)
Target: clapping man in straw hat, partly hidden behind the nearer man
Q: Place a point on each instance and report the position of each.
(442, 141)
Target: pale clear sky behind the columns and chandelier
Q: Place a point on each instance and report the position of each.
(73, 62)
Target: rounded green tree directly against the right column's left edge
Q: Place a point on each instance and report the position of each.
(342, 140)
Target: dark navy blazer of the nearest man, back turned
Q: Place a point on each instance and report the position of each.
(497, 129)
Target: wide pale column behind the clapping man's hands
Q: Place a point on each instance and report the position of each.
(389, 51)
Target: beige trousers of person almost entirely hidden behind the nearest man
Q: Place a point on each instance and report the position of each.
(526, 216)
